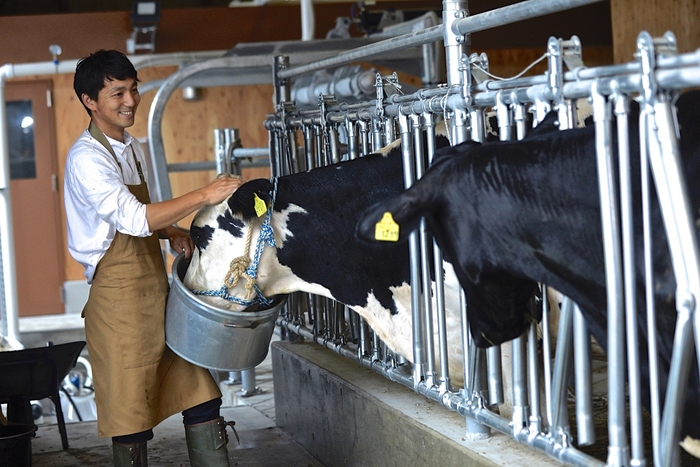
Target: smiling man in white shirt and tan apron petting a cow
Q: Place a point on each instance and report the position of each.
(111, 231)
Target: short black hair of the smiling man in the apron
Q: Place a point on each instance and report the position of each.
(92, 71)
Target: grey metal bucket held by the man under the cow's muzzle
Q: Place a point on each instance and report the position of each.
(212, 337)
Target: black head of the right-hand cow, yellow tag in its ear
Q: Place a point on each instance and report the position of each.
(499, 302)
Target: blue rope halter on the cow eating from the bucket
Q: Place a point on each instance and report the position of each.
(266, 238)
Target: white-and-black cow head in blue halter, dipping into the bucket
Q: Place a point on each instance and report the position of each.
(225, 269)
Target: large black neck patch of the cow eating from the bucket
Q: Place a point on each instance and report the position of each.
(323, 248)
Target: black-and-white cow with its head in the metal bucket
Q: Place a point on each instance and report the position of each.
(313, 219)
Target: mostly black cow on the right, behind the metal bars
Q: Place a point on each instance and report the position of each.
(507, 214)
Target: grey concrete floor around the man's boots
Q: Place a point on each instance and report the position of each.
(262, 443)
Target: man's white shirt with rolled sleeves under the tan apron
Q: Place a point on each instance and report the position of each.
(97, 200)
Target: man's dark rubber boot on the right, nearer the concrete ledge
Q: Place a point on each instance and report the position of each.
(206, 443)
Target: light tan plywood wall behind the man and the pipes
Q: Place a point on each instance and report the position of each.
(187, 130)
